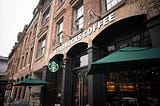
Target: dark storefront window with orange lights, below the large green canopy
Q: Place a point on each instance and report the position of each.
(133, 88)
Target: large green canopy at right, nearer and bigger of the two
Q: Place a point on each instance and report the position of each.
(129, 58)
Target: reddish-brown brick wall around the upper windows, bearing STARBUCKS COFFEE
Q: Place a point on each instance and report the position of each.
(126, 12)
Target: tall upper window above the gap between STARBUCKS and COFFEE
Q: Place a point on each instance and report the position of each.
(79, 19)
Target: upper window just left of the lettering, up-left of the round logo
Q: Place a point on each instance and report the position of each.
(41, 46)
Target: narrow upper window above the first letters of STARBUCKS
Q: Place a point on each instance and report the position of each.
(59, 31)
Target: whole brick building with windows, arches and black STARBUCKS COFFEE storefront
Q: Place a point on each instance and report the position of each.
(66, 36)
